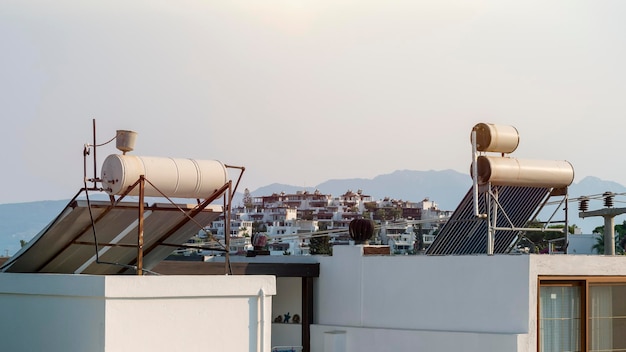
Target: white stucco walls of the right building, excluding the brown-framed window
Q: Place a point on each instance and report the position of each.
(437, 303)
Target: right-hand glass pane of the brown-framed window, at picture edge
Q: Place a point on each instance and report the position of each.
(607, 317)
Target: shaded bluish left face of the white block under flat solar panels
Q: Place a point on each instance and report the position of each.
(51, 313)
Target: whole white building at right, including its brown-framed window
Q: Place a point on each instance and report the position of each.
(469, 303)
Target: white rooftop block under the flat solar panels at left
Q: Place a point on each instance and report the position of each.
(131, 313)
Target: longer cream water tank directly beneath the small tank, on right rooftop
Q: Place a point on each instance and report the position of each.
(501, 171)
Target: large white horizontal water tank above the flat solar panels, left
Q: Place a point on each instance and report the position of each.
(179, 178)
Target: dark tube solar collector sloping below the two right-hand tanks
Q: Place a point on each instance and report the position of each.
(465, 233)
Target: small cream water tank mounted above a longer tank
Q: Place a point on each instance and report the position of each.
(496, 138)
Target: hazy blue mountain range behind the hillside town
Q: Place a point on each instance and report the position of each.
(22, 221)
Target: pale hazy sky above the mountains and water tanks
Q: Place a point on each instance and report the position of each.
(300, 92)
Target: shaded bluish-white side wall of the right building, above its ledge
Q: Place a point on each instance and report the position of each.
(452, 293)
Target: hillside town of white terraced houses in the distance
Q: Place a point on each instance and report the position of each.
(305, 223)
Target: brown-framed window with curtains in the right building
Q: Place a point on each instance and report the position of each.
(586, 314)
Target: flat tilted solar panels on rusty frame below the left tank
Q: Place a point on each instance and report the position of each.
(67, 245)
